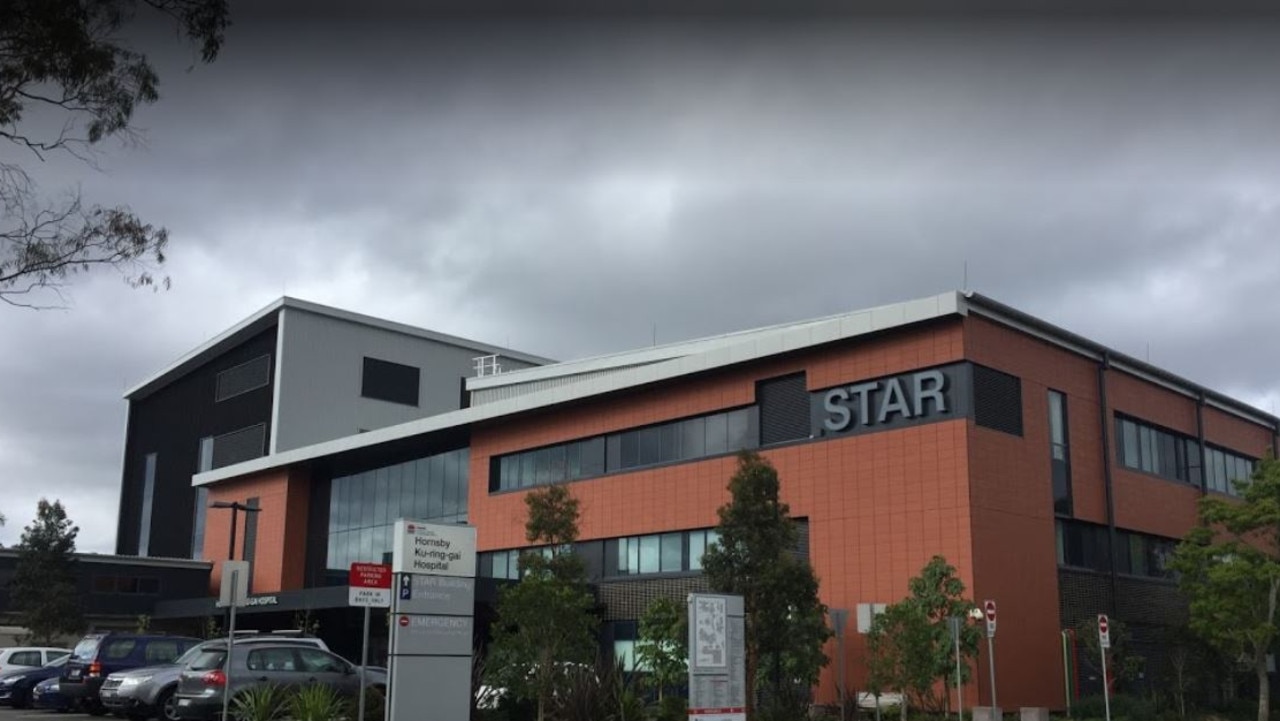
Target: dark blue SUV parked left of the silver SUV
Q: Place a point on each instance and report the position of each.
(98, 656)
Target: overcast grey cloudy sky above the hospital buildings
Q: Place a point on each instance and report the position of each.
(566, 188)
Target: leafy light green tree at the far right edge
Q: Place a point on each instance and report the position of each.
(1229, 568)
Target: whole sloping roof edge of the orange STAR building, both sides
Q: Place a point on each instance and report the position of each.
(721, 352)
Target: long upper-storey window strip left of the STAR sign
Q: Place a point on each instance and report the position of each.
(670, 442)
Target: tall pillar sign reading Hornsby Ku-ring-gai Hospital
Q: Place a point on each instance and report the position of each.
(435, 568)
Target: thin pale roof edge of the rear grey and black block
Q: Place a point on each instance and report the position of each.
(267, 318)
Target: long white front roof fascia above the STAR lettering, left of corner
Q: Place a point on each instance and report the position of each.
(802, 336)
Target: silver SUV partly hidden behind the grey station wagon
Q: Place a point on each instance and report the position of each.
(143, 693)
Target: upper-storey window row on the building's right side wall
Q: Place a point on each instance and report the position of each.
(1178, 458)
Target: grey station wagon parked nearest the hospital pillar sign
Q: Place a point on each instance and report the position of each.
(204, 681)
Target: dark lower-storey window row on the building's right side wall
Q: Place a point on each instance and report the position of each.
(1085, 546)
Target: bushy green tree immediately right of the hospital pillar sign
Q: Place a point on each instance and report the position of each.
(546, 623)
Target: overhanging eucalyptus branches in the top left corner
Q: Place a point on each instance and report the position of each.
(67, 61)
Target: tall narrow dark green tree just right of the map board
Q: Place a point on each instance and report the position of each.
(756, 558)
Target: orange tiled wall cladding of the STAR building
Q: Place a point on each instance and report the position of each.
(879, 505)
